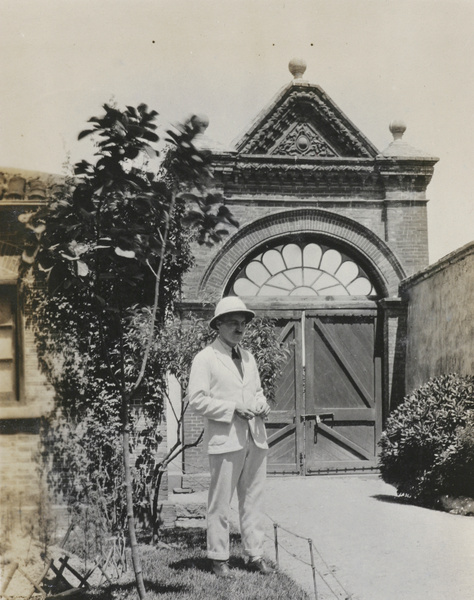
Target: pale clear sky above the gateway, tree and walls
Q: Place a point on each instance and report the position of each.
(378, 60)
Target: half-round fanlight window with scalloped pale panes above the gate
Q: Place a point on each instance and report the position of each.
(306, 270)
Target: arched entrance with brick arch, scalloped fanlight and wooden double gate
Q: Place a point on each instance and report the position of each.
(320, 276)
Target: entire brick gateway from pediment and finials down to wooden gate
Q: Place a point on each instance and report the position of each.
(329, 228)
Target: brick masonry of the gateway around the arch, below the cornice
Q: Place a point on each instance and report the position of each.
(389, 234)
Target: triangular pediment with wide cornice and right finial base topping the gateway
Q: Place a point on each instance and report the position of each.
(303, 145)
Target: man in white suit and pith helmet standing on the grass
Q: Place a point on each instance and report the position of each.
(224, 388)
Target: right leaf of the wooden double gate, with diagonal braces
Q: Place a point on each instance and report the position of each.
(342, 389)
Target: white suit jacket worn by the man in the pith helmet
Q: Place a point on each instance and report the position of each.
(215, 386)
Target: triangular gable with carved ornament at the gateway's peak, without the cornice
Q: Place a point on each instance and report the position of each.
(304, 121)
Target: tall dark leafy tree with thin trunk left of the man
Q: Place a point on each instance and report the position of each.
(112, 242)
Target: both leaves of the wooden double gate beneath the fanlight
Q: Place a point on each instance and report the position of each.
(327, 412)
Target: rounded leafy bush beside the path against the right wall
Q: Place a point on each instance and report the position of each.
(427, 448)
